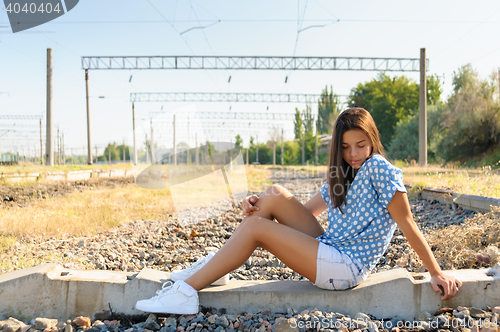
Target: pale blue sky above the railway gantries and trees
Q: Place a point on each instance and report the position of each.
(453, 33)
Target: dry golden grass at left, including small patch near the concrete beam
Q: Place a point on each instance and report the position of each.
(81, 214)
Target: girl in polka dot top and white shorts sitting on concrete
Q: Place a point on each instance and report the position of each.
(365, 198)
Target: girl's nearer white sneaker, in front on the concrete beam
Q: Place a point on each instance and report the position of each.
(173, 298)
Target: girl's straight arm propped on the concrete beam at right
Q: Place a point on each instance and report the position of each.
(399, 209)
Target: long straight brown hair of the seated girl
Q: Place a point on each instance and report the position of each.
(351, 118)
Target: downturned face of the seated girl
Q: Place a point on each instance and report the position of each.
(356, 147)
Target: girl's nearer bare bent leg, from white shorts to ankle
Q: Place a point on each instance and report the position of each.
(294, 248)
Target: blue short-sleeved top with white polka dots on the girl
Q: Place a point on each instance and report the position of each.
(365, 229)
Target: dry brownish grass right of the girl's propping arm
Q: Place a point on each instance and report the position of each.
(458, 246)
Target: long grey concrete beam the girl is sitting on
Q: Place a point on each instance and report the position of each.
(51, 291)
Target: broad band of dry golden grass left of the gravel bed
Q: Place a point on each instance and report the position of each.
(84, 213)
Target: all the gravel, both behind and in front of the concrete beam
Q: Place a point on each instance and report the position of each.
(165, 245)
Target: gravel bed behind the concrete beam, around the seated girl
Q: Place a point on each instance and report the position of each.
(166, 246)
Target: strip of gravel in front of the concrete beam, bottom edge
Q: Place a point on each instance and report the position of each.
(463, 319)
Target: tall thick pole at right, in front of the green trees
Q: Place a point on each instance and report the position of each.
(422, 129)
